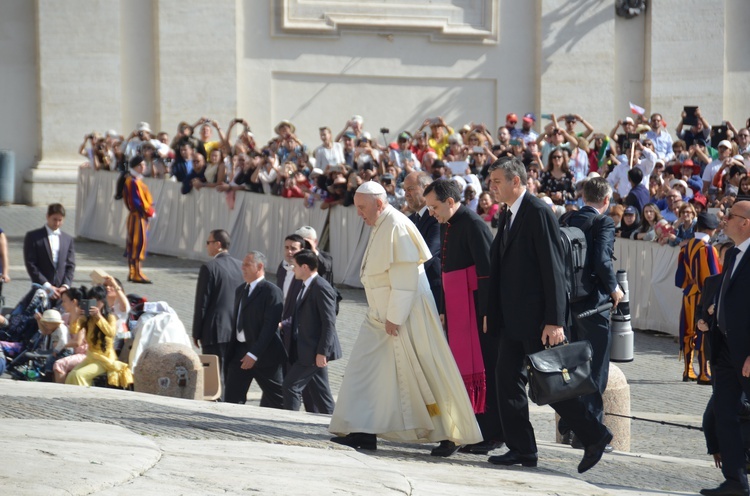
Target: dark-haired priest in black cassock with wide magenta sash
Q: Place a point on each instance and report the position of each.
(465, 261)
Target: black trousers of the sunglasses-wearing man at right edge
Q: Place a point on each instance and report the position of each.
(728, 388)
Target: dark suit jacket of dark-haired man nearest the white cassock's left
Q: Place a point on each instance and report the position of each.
(314, 323)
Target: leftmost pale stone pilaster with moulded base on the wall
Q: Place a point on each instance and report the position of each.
(79, 78)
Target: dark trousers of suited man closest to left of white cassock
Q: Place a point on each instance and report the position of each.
(312, 380)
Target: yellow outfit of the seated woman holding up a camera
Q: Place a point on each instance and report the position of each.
(99, 360)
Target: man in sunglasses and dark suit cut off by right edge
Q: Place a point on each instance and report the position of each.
(730, 352)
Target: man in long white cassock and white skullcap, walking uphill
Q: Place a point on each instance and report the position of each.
(401, 382)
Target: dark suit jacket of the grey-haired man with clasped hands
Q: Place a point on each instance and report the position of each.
(259, 316)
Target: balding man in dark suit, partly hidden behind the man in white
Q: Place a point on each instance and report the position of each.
(414, 186)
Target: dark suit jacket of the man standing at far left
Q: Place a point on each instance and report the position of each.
(37, 256)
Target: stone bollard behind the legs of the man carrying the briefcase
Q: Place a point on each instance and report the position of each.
(616, 399)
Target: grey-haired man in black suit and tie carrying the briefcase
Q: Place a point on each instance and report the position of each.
(526, 309)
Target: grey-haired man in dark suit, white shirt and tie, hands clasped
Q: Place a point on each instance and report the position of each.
(256, 351)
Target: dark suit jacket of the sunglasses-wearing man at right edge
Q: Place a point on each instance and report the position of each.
(737, 316)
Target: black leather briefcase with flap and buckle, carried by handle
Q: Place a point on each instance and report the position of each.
(560, 372)
